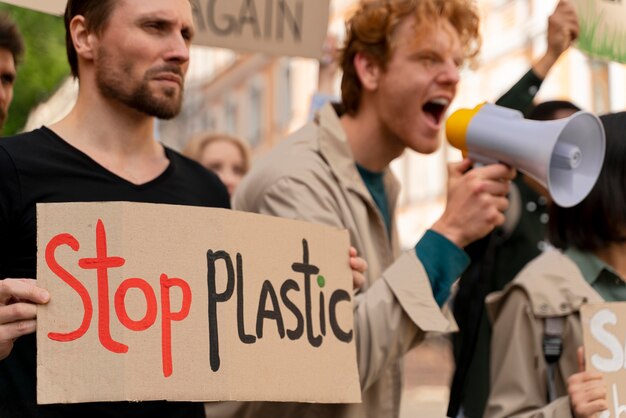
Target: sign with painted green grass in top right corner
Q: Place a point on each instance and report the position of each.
(602, 32)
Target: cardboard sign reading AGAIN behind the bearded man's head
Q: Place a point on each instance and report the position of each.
(279, 27)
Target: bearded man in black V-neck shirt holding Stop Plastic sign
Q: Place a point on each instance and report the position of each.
(130, 58)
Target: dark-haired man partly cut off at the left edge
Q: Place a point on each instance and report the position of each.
(11, 51)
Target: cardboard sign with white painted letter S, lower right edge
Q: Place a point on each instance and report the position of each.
(604, 336)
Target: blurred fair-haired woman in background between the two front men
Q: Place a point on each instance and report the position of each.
(225, 155)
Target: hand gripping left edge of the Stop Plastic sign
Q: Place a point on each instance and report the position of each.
(18, 299)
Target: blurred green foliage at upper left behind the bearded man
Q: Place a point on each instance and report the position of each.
(44, 65)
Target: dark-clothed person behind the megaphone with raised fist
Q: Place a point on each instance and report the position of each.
(497, 258)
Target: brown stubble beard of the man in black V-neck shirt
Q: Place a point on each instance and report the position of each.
(113, 84)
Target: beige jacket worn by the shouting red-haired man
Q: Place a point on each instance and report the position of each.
(312, 176)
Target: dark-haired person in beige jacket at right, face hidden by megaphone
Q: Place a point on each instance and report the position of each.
(546, 297)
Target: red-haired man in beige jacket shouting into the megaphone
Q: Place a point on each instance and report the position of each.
(400, 72)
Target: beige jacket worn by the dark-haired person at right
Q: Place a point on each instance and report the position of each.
(549, 286)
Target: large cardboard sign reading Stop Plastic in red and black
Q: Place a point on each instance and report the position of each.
(153, 302)
